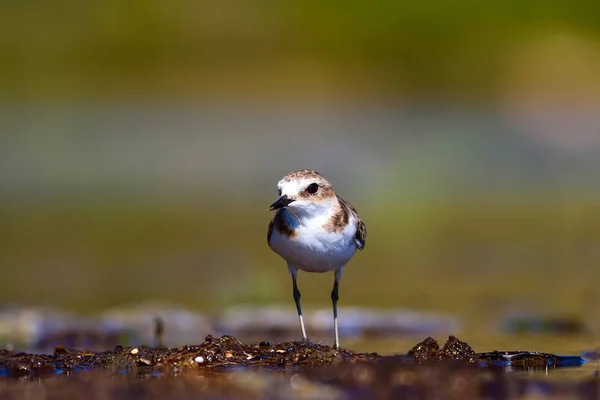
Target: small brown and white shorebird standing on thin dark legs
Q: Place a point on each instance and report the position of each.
(314, 230)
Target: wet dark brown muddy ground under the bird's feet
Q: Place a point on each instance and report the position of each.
(226, 368)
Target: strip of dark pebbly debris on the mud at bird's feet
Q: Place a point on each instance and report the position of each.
(227, 353)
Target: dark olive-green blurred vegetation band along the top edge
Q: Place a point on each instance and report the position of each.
(71, 49)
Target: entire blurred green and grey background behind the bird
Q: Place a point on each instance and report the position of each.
(141, 142)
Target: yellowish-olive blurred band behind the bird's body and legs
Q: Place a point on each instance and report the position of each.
(472, 260)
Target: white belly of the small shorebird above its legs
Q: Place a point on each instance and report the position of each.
(315, 251)
